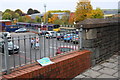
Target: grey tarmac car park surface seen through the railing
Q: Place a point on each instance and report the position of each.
(48, 48)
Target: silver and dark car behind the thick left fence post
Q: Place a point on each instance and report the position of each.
(11, 48)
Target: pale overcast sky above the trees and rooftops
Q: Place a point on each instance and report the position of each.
(24, 5)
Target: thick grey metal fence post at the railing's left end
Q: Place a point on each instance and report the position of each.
(6, 53)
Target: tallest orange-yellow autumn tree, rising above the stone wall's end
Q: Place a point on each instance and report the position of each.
(82, 10)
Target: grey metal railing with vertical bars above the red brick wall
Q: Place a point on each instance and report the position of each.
(27, 49)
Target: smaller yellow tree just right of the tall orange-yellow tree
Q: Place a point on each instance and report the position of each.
(98, 13)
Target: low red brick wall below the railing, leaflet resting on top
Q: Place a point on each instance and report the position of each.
(65, 66)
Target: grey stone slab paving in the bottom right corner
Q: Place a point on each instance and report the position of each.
(107, 69)
